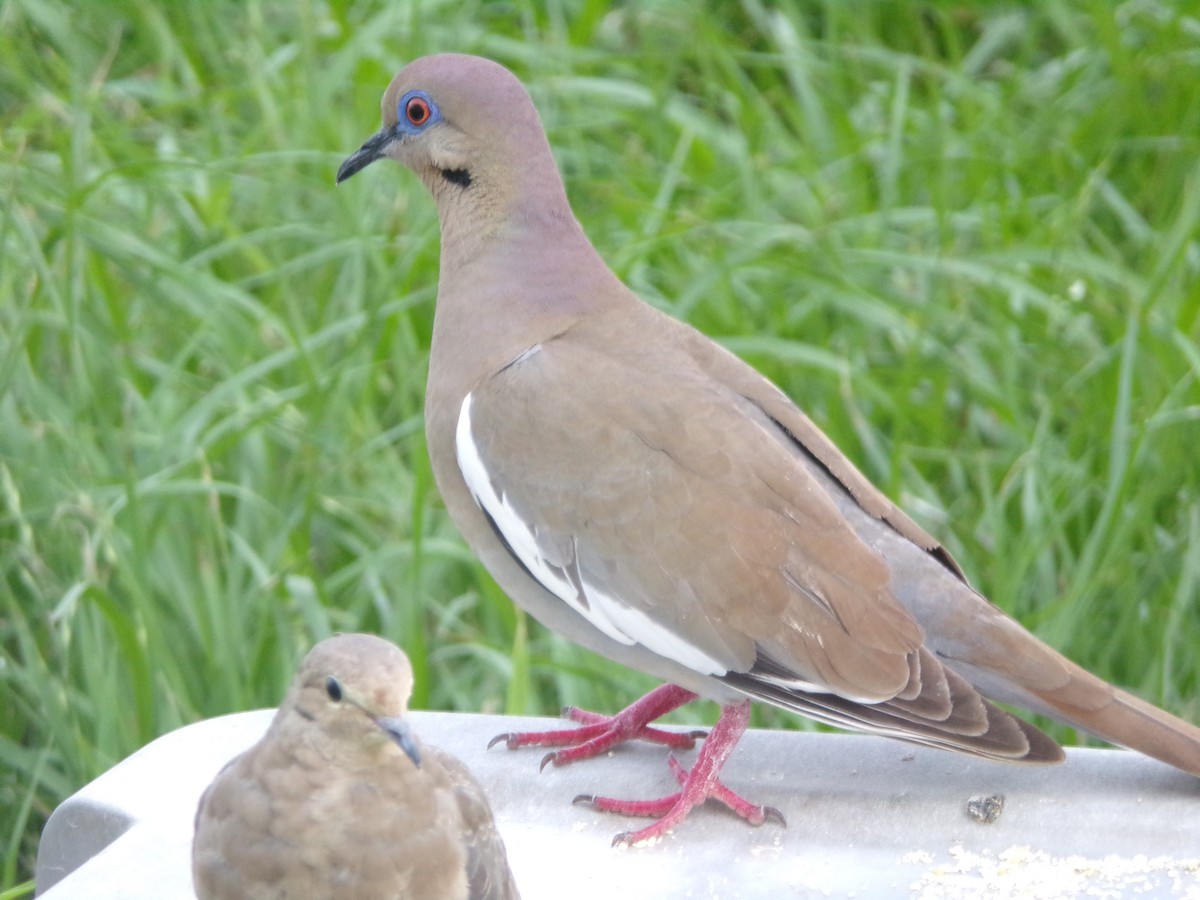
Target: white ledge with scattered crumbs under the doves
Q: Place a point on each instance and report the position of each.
(867, 818)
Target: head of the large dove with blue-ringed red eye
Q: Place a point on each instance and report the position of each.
(470, 131)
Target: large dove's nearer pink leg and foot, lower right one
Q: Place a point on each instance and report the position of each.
(697, 787)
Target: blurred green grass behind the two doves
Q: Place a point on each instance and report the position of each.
(964, 236)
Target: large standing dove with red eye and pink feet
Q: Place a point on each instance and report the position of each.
(646, 494)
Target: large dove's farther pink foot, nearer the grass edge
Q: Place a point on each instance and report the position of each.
(601, 734)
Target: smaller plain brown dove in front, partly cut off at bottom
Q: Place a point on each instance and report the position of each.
(340, 800)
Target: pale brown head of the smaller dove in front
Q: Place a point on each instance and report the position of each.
(356, 691)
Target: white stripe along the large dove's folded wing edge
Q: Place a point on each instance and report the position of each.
(607, 613)
